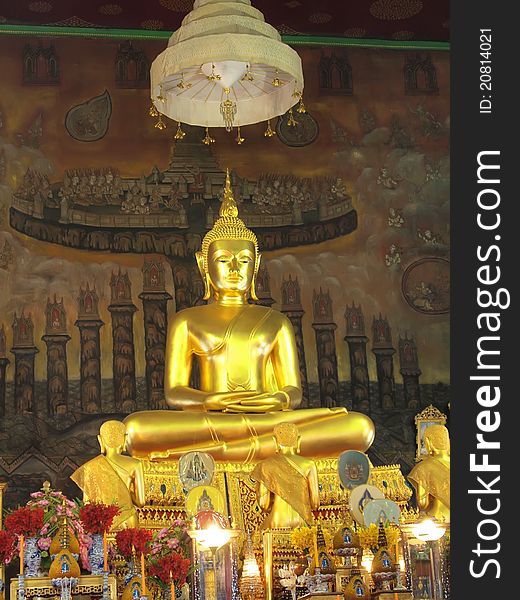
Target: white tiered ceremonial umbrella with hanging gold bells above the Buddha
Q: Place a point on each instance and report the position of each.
(225, 67)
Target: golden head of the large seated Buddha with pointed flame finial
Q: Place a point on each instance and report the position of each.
(229, 258)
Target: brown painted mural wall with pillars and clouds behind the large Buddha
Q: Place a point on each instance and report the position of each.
(100, 213)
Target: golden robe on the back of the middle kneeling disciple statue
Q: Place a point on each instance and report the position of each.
(282, 476)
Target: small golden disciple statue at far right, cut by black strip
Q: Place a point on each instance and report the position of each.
(431, 477)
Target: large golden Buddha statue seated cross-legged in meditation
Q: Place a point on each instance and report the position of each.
(248, 363)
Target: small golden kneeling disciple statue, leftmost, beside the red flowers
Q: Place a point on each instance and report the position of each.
(113, 478)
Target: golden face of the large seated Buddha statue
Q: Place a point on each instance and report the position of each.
(231, 265)
